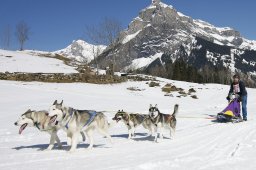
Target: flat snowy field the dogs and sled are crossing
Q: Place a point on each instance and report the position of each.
(199, 142)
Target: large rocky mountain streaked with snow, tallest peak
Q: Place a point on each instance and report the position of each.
(160, 29)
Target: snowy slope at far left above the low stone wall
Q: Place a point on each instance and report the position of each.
(16, 61)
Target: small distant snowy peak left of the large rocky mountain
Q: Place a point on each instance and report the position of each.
(81, 51)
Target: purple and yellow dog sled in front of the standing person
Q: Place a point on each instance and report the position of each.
(231, 113)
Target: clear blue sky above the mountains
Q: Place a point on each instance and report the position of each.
(55, 23)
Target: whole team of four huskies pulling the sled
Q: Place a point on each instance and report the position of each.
(84, 123)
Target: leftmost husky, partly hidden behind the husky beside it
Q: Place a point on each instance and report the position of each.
(40, 120)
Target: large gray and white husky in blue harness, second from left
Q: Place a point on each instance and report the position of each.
(74, 121)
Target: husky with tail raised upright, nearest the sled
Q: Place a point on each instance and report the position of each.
(161, 120)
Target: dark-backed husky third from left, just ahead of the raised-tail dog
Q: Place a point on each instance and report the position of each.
(132, 121)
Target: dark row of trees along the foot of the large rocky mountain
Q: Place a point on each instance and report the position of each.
(182, 71)
